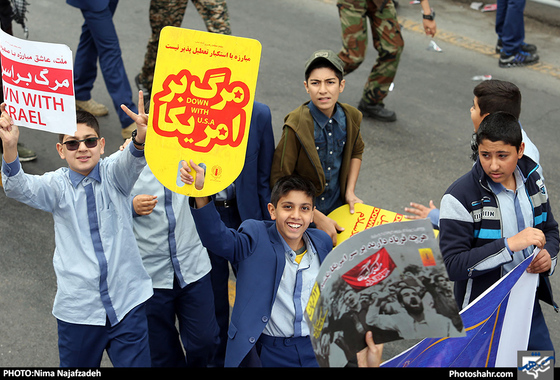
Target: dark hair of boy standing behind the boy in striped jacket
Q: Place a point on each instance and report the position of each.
(498, 96)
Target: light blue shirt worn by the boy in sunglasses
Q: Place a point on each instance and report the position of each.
(99, 271)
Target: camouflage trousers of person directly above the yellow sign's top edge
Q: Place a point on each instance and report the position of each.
(163, 13)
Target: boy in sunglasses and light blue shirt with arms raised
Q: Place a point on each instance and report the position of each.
(101, 282)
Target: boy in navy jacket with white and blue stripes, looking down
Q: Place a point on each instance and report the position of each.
(495, 216)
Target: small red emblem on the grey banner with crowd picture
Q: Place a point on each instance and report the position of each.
(370, 271)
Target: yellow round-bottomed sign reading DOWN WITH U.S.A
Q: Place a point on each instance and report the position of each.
(201, 105)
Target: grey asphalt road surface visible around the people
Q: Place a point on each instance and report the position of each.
(413, 159)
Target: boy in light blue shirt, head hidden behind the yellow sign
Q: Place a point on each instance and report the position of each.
(180, 270)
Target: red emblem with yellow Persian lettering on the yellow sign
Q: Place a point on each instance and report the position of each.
(202, 113)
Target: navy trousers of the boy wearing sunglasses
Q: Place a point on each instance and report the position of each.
(126, 342)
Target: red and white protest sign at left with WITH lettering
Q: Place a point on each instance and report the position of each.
(38, 84)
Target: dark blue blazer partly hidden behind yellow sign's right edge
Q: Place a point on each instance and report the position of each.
(252, 187)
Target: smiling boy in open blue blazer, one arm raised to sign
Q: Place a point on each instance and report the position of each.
(277, 264)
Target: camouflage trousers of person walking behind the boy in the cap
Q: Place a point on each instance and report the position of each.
(387, 40)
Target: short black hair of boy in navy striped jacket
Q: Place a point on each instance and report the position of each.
(500, 126)
